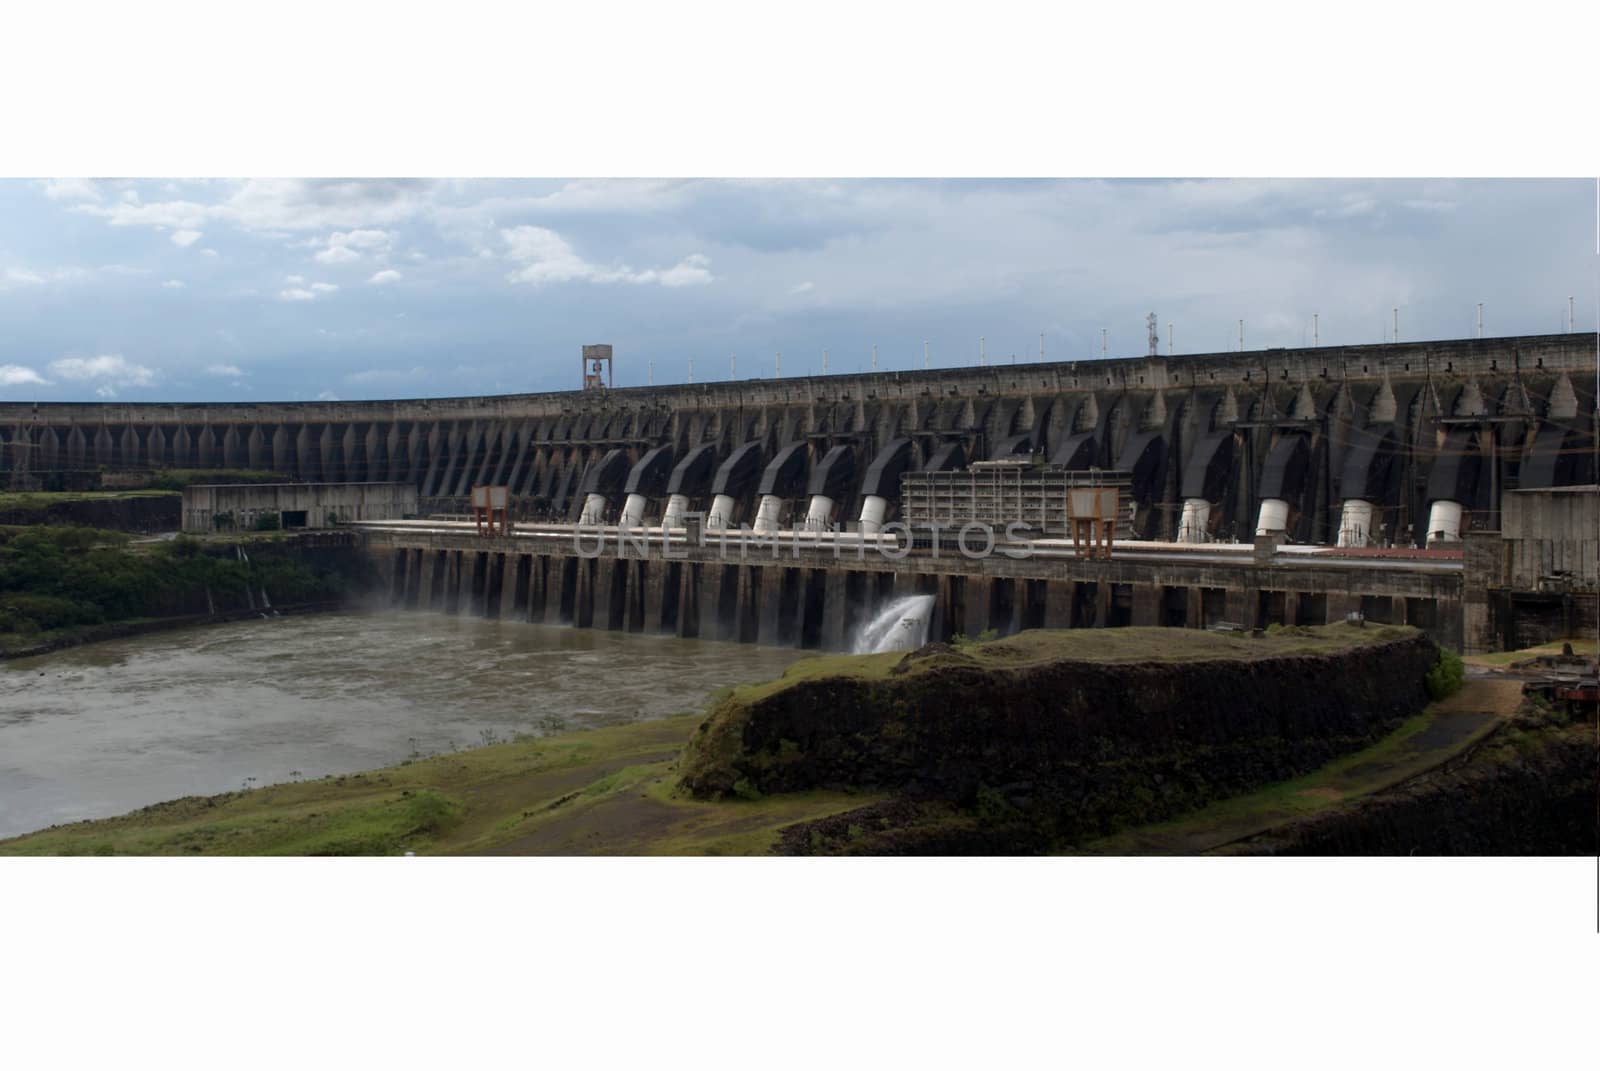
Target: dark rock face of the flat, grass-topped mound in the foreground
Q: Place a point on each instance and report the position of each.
(1066, 750)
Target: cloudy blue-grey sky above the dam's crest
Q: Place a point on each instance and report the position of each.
(364, 289)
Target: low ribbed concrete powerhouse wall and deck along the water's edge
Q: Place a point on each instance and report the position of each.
(817, 590)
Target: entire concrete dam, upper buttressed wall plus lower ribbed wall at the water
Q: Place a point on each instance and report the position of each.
(1337, 455)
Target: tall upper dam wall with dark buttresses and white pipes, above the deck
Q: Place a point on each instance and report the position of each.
(1364, 444)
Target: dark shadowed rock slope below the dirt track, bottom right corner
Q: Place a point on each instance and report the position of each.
(1526, 792)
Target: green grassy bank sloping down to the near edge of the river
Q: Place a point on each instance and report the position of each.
(606, 792)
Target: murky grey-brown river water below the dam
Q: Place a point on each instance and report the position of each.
(110, 728)
